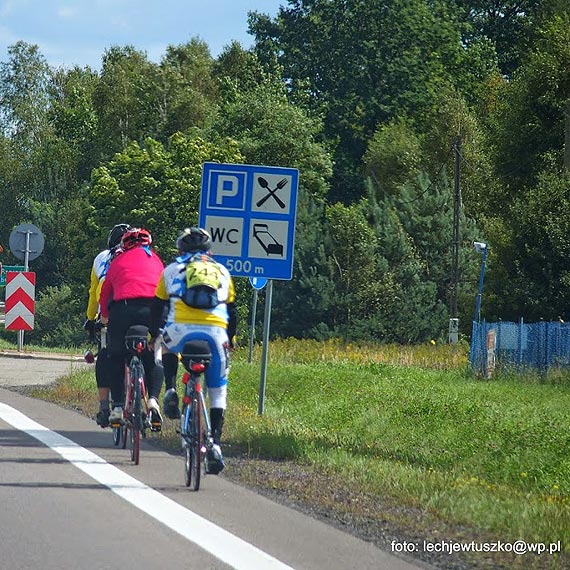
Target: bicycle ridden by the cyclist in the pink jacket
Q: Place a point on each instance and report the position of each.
(135, 412)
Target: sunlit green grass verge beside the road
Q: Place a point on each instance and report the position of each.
(490, 455)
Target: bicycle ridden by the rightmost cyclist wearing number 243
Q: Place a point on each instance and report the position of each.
(195, 428)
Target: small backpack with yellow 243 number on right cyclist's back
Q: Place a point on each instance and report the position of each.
(203, 279)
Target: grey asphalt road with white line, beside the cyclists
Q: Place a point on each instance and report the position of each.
(72, 500)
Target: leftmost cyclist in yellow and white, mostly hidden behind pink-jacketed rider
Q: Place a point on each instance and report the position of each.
(98, 272)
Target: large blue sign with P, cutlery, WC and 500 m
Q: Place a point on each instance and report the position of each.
(250, 214)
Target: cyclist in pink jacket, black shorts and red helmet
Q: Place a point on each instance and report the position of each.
(126, 299)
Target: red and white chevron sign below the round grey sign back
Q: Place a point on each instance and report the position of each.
(20, 304)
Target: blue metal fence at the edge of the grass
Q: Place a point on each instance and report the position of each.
(505, 345)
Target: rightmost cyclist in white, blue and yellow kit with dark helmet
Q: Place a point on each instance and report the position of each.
(215, 323)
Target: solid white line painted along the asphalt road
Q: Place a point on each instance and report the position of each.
(225, 546)
